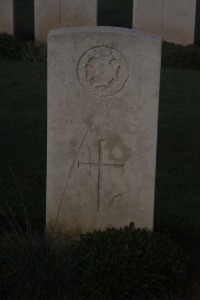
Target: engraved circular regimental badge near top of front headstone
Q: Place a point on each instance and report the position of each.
(102, 71)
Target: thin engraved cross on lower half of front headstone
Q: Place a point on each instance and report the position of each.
(99, 165)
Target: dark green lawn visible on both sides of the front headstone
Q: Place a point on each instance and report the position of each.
(23, 146)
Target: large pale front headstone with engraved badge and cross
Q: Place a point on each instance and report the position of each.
(103, 93)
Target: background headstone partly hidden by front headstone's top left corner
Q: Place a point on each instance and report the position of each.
(51, 14)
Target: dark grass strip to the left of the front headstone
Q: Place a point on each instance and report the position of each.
(23, 136)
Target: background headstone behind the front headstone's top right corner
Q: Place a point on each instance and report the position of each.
(174, 20)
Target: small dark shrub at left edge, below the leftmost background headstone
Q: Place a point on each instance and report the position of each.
(10, 47)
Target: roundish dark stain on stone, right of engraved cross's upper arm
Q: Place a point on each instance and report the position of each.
(117, 151)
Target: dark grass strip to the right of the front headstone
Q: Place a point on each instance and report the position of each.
(177, 204)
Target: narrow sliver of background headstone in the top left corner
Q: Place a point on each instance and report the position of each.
(6, 16)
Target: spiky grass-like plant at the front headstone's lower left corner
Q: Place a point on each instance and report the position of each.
(36, 266)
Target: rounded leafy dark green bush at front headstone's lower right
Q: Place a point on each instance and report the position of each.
(130, 264)
